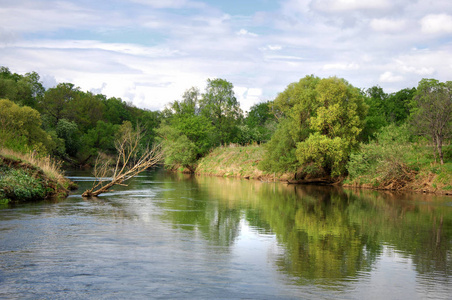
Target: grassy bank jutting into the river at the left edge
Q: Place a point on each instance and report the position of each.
(25, 177)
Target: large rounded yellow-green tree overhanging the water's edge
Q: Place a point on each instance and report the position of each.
(320, 121)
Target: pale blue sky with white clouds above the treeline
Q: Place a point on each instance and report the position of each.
(149, 52)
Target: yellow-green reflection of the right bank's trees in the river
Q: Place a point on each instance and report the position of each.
(331, 235)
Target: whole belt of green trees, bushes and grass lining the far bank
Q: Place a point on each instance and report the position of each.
(317, 129)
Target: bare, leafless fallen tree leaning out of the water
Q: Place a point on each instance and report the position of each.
(131, 160)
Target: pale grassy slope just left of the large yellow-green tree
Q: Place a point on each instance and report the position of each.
(237, 161)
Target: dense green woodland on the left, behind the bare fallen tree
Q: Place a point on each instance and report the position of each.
(63, 121)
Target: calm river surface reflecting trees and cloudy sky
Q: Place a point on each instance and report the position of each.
(173, 236)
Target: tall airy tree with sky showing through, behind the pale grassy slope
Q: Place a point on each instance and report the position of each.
(219, 105)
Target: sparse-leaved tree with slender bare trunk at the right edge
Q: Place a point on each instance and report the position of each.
(431, 113)
